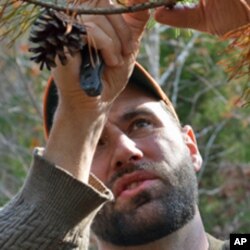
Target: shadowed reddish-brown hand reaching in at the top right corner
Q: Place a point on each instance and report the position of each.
(213, 16)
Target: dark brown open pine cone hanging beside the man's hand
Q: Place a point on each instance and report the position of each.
(51, 33)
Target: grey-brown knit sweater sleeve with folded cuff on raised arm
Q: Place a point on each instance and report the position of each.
(53, 210)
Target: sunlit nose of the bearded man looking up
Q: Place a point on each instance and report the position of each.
(125, 151)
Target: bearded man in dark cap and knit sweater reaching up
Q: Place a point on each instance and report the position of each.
(130, 138)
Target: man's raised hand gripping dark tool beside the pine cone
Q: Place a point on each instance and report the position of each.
(117, 37)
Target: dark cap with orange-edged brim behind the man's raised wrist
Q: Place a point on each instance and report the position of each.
(139, 76)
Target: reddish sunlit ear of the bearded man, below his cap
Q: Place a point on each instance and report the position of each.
(190, 140)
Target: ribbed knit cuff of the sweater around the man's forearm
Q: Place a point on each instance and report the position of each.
(60, 196)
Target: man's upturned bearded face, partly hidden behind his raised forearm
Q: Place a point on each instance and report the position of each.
(143, 159)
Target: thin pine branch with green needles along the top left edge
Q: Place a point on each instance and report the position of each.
(16, 16)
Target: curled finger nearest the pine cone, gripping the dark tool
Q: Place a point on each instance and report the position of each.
(102, 41)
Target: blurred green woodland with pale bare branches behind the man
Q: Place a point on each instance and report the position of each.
(186, 65)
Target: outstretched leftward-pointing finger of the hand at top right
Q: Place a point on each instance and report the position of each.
(182, 17)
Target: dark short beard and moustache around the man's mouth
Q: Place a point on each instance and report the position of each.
(153, 213)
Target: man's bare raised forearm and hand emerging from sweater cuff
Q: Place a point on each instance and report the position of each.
(79, 119)
